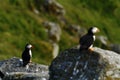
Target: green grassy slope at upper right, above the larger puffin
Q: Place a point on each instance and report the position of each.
(95, 13)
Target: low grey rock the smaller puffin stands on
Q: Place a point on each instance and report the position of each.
(13, 70)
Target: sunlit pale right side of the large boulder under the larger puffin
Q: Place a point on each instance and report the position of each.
(113, 59)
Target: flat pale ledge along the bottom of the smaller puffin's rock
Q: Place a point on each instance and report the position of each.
(25, 76)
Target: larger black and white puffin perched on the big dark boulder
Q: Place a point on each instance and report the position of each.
(86, 41)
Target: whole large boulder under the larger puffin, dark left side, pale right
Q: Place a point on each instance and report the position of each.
(73, 64)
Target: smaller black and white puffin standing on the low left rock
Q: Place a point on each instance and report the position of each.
(27, 54)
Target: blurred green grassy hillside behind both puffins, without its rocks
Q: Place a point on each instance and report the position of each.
(19, 25)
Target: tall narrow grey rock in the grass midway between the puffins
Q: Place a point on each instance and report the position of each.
(54, 34)
